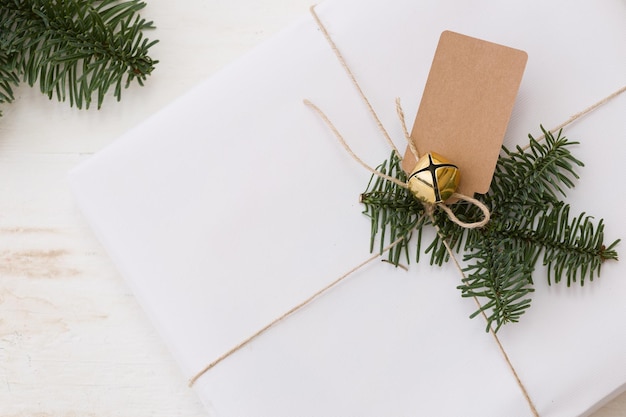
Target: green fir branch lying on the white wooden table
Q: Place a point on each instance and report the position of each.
(74, 49)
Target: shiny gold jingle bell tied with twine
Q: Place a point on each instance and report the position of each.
(434, 179)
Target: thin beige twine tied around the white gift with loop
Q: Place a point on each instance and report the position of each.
(429, 211)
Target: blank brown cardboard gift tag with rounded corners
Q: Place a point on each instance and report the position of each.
(466, 106)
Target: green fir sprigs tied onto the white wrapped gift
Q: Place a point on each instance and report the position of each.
(527, 220)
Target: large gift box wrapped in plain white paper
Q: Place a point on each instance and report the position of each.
(235, 203)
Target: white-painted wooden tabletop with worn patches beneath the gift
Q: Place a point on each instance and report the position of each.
(73, 340)
